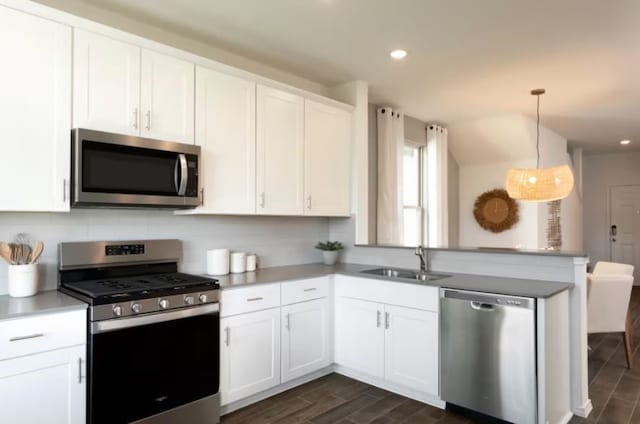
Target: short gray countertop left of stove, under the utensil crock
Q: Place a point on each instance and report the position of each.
(45, 302)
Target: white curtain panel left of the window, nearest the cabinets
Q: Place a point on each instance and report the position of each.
(390, 155)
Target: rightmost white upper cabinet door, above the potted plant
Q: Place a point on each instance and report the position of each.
(327, 160)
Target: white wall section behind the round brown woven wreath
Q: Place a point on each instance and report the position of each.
(475, 180)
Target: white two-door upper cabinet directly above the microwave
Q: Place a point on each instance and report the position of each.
(121, 88)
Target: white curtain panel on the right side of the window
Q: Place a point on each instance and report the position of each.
(437, 189)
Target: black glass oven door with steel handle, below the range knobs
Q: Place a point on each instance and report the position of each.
(149, 365)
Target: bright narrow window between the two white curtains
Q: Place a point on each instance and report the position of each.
(414, 231)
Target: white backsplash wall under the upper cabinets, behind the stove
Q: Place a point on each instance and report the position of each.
(276, 240)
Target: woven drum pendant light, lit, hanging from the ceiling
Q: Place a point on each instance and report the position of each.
(539, 184)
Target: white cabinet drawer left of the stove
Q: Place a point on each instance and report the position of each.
(26, 336)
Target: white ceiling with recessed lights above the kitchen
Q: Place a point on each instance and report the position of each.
(467, 58)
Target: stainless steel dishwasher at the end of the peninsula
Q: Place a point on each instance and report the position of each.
(488, 354)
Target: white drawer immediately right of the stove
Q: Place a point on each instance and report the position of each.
(256, 298)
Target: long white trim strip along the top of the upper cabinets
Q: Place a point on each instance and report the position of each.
(86, 24)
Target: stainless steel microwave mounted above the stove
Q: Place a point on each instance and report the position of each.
(114, 170)
